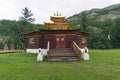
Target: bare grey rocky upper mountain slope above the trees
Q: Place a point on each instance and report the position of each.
(110, 12)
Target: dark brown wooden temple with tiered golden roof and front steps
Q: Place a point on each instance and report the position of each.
(61, 42)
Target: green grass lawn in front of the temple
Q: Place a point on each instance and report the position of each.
(103, 65)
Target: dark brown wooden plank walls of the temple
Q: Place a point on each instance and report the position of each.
(43, 36)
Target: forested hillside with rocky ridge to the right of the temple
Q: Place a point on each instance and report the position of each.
(103, 26)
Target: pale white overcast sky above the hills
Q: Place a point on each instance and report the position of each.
(43, 9)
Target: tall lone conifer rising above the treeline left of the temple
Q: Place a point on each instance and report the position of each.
(25, 19)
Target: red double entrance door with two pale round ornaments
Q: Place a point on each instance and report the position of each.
(60, 41)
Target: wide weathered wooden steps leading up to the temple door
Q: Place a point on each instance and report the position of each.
(62, 54)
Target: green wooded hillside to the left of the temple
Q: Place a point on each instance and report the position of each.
(11, 32)
